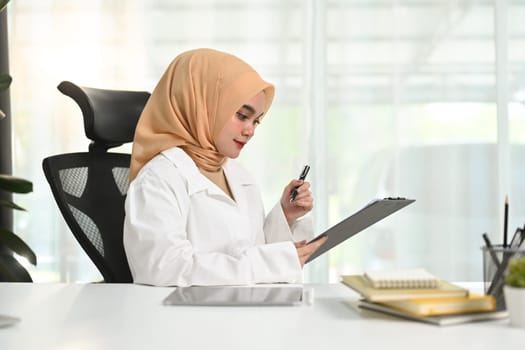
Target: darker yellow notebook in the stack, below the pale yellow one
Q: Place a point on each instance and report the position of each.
(444, 306)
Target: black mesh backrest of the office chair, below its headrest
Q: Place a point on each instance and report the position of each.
(90, 190)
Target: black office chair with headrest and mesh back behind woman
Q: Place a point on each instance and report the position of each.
(90, 187)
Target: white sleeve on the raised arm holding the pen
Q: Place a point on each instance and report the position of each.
(276, 228)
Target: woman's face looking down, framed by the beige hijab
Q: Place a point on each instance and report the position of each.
(241, 126)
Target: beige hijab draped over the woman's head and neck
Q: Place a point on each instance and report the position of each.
(199, 92)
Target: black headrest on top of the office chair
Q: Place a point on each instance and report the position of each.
(110, 116)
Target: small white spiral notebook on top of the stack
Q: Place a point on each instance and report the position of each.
(407, 278)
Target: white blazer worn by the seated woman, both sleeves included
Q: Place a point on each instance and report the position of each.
(181, 229)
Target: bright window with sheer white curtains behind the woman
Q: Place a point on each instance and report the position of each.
(380, 97)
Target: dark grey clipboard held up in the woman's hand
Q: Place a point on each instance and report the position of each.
(373, 212)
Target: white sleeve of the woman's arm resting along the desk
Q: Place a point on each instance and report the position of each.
(160, 253)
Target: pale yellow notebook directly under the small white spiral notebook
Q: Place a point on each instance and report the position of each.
(361, 285)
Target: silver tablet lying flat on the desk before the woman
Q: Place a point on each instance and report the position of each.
(236, 296)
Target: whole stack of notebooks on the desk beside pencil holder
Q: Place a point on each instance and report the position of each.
(418, 295)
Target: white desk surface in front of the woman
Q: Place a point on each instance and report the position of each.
(105, 316)
